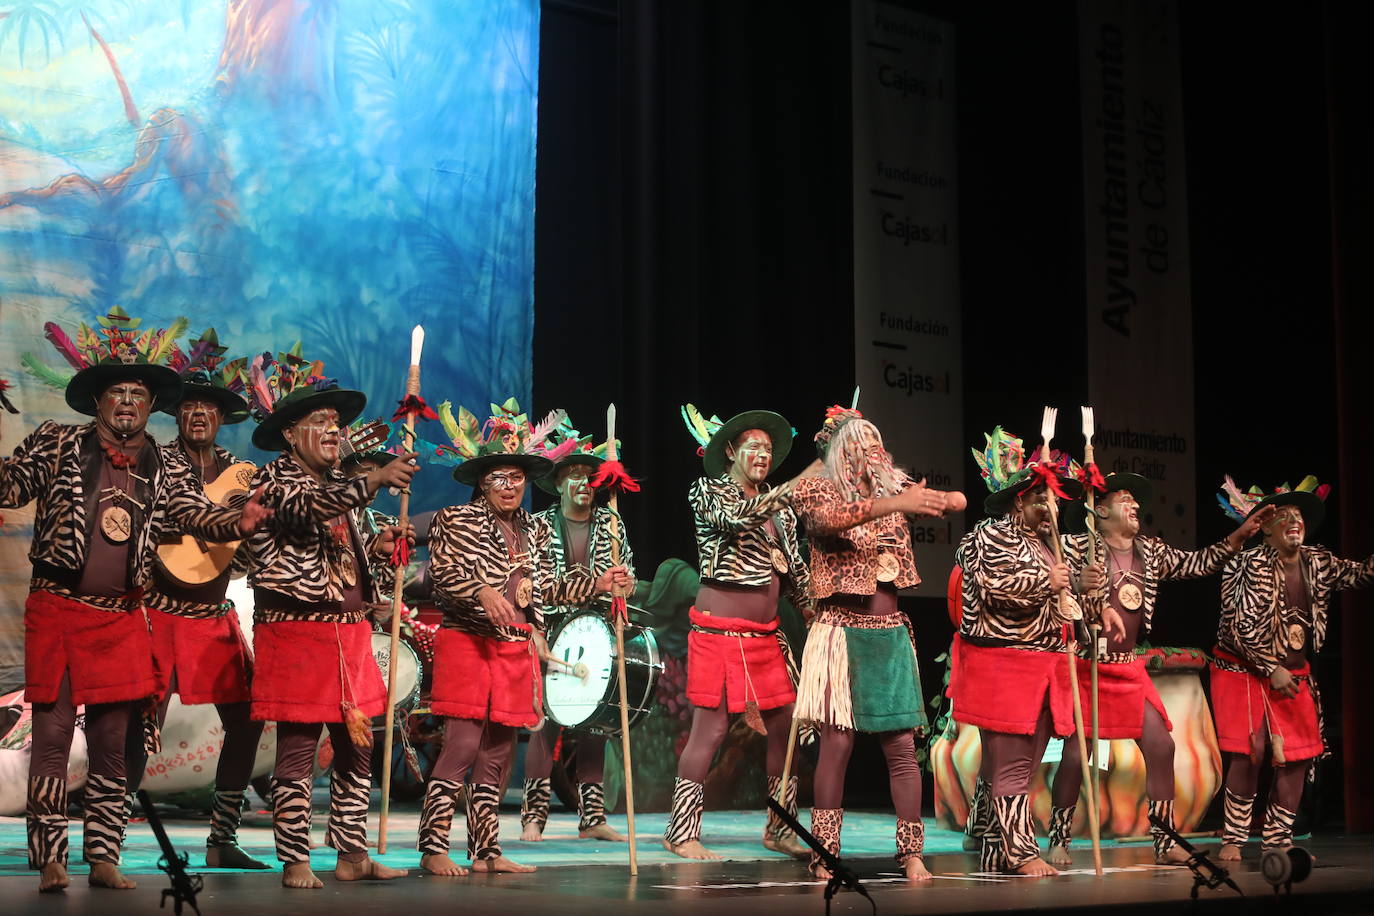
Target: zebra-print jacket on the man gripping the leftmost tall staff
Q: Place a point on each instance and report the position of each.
(291, 553)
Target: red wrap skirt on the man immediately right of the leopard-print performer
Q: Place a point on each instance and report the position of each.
(1004, 690)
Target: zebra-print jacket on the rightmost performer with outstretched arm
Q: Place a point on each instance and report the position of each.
(1254, 601)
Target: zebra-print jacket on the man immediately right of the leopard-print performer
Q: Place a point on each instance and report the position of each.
(1006, 588)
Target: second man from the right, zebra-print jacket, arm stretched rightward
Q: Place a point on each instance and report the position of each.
(1127, 576)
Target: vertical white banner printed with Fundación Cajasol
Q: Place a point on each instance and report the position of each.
(908, 330)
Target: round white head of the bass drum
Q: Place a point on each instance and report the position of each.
(586, 643)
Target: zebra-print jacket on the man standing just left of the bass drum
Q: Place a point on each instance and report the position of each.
(468, 553)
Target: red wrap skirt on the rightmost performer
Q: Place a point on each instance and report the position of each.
(1243, 705)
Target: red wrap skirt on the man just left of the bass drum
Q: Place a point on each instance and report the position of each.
(483, 679)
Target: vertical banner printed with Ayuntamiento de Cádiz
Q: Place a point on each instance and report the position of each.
(1137, 234)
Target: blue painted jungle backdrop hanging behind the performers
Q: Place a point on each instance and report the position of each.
(328, 171)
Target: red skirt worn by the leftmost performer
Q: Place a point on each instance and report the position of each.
(106, 654)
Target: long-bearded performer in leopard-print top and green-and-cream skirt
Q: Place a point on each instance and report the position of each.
(859, 671)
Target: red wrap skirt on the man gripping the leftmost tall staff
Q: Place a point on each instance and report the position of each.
(297, 676)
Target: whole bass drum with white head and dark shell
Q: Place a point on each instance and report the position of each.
(582, 687)
